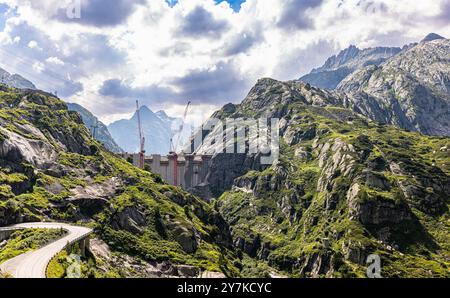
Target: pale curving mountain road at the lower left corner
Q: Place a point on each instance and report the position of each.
(33, 264)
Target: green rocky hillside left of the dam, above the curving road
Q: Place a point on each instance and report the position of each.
(52, 169)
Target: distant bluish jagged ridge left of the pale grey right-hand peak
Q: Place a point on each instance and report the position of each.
(346, 62)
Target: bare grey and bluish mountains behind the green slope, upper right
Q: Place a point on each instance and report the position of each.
(406, 87)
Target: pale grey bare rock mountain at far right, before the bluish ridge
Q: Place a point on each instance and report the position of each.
(411, 90)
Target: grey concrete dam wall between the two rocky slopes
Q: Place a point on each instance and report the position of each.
(184, 170)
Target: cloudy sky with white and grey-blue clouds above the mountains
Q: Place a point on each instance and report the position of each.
(107, 54)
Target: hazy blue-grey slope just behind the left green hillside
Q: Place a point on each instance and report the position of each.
(97, 128)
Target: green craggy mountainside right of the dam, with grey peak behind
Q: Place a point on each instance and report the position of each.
(346, 185)
